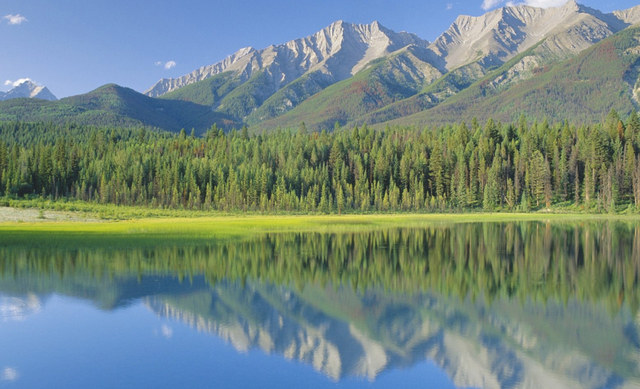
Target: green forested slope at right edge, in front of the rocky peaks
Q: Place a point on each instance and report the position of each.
(603, 77)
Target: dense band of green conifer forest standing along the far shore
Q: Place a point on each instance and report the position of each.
(492, 166)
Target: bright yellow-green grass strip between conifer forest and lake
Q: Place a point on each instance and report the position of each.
(217, 227)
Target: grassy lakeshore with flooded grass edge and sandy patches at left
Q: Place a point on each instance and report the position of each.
(71, 233)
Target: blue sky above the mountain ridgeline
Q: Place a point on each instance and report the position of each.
(74, 46)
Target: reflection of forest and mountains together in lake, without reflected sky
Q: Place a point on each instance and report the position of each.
(496, 305)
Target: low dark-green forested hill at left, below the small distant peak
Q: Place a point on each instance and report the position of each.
(113, 105)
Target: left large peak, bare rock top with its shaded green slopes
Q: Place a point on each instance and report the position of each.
(255, 85)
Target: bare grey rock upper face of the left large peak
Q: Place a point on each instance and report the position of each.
(338, 51)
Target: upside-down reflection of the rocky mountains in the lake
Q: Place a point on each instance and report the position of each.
(503, 345)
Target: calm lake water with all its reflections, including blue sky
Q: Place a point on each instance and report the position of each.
(479, 305)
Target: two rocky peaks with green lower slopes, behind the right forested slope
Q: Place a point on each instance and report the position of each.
(350, 73)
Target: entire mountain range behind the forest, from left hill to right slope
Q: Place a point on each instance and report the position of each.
(569, 61)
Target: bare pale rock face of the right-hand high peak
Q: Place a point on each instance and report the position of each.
(498, 36)
